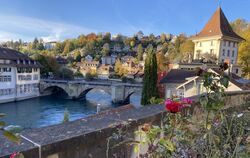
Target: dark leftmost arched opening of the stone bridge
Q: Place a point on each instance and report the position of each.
(55, 91)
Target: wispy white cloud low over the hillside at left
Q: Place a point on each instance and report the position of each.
(16, 27)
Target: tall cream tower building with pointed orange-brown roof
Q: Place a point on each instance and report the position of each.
(217, 40)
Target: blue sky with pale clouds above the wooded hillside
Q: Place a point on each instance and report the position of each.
(61, 19)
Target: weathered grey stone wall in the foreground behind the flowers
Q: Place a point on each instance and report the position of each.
(87, 137)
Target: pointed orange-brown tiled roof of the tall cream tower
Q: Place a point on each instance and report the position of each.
(218, 25)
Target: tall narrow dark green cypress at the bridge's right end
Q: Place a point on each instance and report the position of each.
(150, 78)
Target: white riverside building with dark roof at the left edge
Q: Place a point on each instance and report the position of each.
(19, 76)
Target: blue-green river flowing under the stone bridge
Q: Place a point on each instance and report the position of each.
(49, 110)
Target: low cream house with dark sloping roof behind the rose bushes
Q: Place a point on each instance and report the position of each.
(185, 83)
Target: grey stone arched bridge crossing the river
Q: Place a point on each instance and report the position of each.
(119, 92)
